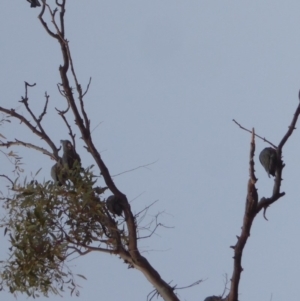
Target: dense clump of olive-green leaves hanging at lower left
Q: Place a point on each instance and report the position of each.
(46, 224)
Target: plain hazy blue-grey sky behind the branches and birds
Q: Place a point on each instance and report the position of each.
(168, 77)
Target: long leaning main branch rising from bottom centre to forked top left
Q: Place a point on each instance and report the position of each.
(132, 255)
